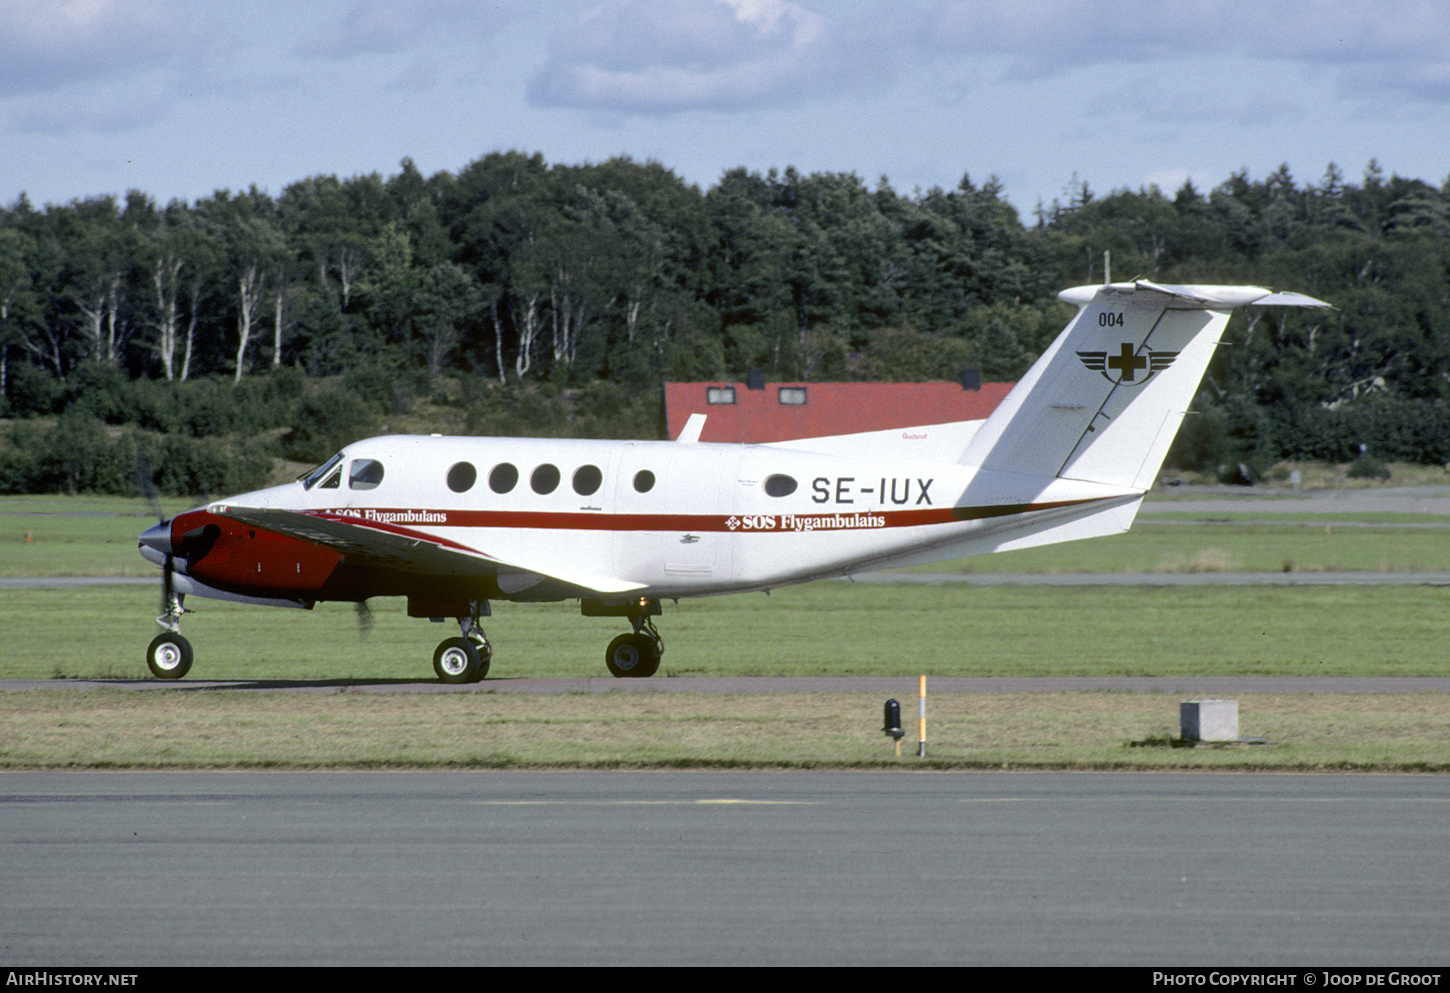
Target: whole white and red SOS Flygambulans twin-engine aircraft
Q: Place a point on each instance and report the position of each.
(456, 523)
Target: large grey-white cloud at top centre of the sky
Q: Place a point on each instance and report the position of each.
(666, 56)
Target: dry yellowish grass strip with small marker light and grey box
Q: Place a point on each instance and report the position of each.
(125, 730)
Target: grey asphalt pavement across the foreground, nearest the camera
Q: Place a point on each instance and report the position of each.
(723, 869)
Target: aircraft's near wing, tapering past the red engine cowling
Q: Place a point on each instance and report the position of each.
(407, 550)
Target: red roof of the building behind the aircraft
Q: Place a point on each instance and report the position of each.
(829, 410)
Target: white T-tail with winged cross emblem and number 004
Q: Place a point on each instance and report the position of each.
(1104, 404)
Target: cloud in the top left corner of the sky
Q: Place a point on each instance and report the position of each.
(50, 44)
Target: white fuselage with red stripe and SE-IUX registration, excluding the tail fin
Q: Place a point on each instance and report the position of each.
(549, 520)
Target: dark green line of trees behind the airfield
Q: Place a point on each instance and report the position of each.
(518, 276)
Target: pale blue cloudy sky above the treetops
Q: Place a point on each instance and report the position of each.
(181, 98)
